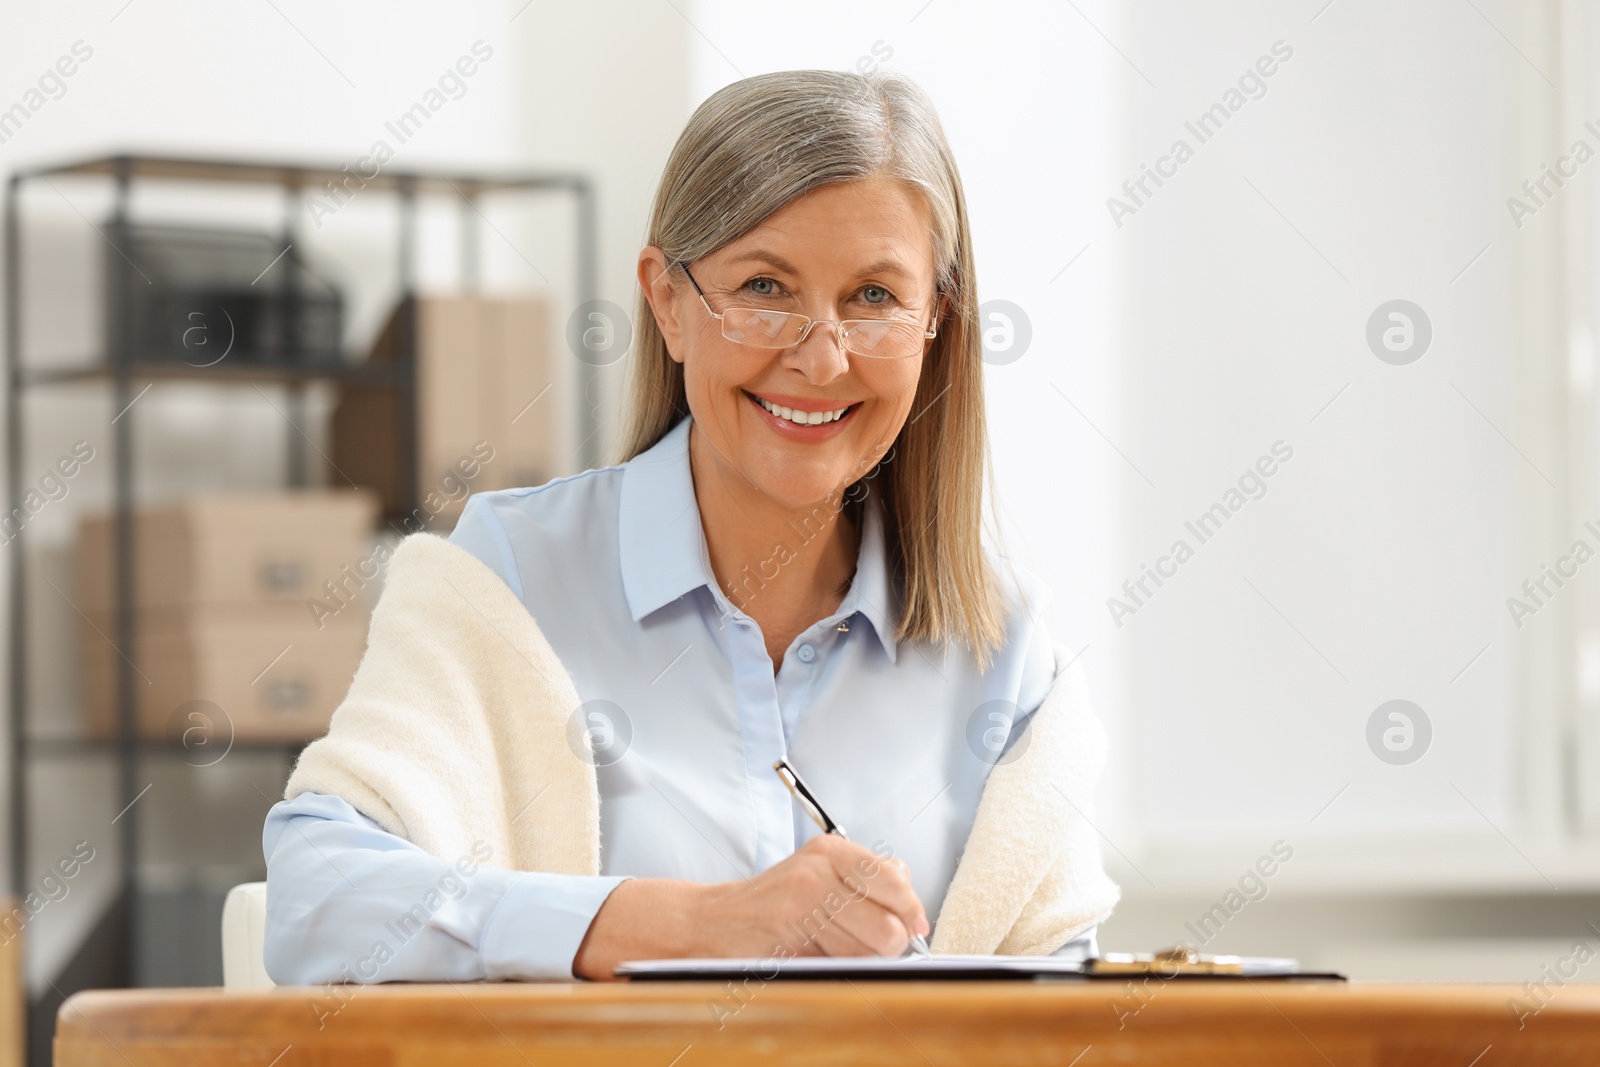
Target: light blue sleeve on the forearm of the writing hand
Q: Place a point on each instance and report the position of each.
(353, 903)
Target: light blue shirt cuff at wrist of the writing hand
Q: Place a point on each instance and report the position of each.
(538, 925)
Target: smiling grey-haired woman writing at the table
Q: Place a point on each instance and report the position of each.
(786, 565)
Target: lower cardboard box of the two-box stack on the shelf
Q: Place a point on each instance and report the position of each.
(210, 674)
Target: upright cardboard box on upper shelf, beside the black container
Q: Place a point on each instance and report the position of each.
(481, 362)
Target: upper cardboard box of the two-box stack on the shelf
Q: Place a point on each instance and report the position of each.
(270, 548)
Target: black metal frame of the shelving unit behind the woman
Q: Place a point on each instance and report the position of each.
(124, 367)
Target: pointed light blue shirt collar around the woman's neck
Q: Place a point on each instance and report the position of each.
(663, 545)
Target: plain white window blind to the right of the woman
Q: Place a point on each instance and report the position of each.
(1380, 562)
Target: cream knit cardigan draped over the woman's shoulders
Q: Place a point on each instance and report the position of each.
(455, 730)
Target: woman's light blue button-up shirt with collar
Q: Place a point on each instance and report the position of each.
(687, 719)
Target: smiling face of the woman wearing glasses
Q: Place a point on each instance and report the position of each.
(850, 250)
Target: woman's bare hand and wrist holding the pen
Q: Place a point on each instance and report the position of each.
(830, 898)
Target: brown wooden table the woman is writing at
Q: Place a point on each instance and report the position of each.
(1190, 1021)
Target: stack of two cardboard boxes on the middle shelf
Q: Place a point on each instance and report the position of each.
(252, 615)
